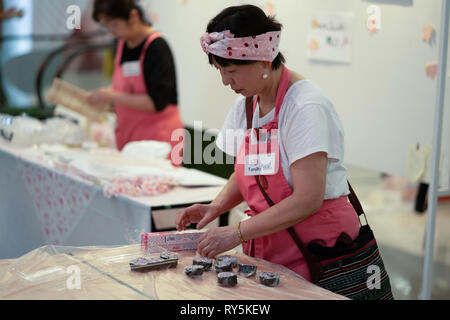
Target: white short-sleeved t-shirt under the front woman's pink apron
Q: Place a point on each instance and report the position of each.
(307, 123)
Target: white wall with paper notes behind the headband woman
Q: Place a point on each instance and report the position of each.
(383, 96)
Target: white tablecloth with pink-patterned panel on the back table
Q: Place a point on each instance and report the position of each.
(40, 205)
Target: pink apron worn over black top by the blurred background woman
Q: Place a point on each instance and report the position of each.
(136, 125)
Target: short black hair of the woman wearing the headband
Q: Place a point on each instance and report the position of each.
(244, 21)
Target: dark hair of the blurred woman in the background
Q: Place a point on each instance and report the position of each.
(120, 9)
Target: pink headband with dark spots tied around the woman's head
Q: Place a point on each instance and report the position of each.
(263, 47)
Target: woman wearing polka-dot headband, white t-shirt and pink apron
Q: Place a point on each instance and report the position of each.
(295, 148)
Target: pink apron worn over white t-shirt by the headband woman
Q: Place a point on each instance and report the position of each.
(335, 215)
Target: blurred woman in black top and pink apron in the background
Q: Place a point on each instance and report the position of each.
(145, 105)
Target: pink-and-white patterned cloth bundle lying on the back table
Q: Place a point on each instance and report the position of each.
(138, 186)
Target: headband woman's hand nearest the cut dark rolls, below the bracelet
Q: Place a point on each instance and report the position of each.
(218, 240)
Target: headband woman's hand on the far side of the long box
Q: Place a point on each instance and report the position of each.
(202, 214)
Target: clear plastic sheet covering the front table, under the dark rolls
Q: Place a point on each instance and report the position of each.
(105, 273)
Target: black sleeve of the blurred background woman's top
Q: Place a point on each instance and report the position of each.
(159, 74)
